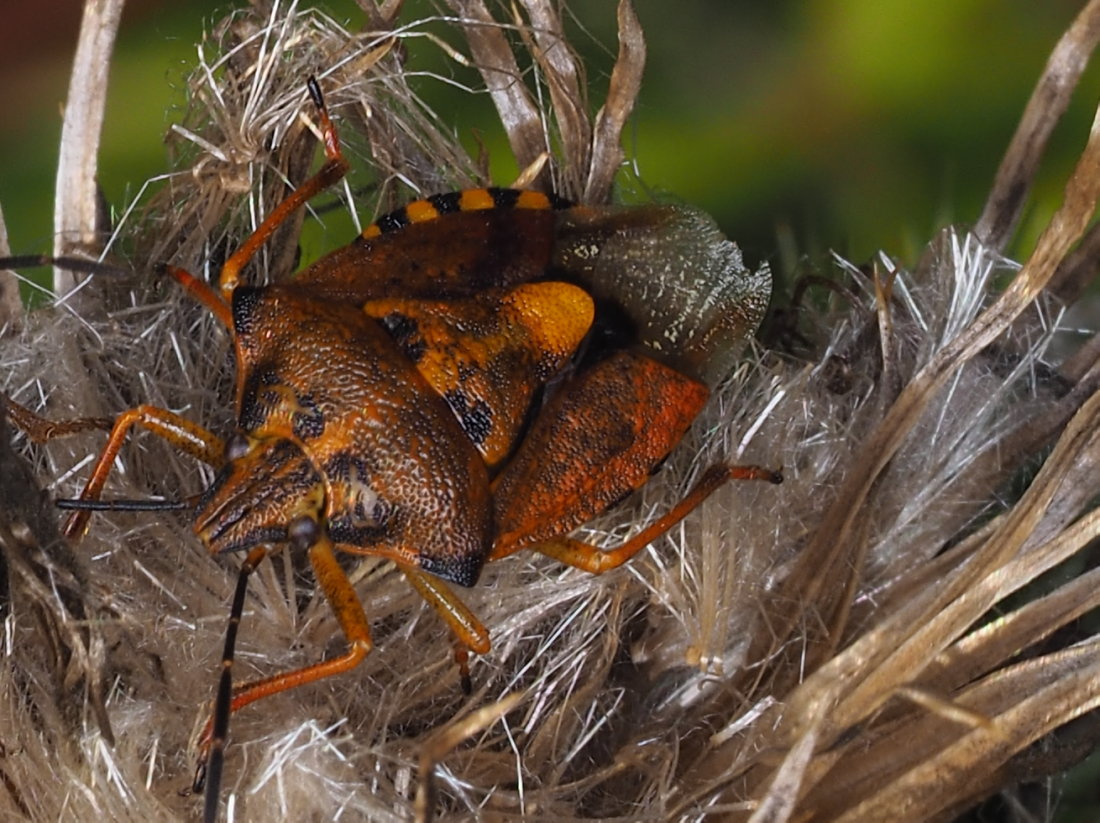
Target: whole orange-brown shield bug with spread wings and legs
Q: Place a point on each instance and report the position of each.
(478, 374)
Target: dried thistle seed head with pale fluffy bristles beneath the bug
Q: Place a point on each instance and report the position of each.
(820, 652)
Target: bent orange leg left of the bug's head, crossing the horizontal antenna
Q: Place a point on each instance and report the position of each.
(181, 433)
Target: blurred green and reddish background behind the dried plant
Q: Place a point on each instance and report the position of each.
(846, 125)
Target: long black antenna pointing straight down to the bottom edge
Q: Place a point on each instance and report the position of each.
(213, 747)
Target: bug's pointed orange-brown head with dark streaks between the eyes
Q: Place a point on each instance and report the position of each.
(265, 488)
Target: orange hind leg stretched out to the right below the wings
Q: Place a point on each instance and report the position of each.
(597, 562)
